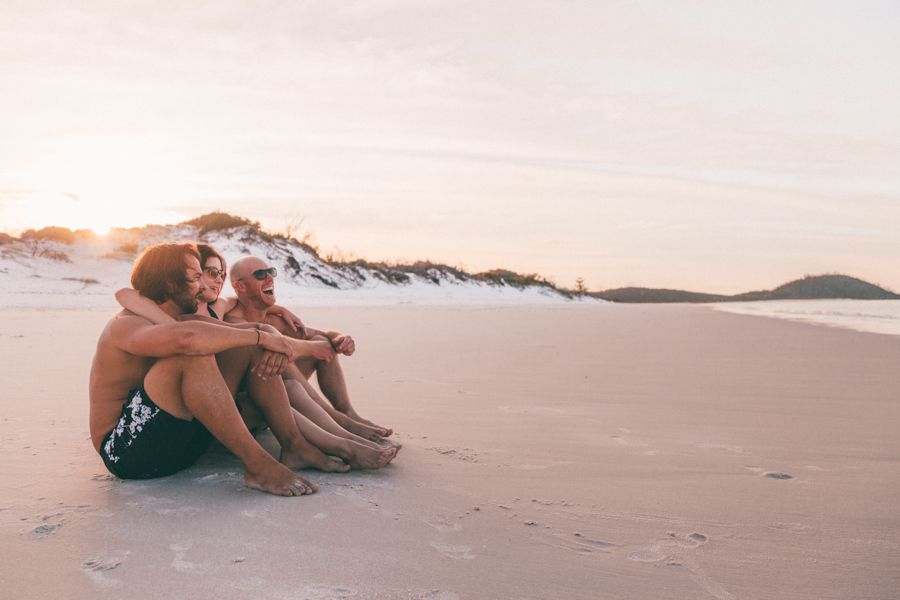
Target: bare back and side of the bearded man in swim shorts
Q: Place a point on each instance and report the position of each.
(114, 372)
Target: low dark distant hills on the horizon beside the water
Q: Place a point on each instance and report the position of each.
(809, 288)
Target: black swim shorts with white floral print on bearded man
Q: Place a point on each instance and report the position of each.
(149, 442)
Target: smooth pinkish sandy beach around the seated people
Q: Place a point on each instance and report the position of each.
(599, 451)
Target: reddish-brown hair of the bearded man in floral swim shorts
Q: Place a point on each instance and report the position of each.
(160, 272)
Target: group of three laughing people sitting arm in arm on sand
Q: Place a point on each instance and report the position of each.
(165, 376)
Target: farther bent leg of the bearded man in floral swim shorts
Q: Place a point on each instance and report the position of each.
(271, 399)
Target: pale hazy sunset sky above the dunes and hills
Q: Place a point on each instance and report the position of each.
(713, 146)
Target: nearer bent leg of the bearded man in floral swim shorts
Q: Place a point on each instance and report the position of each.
(190, 387)
